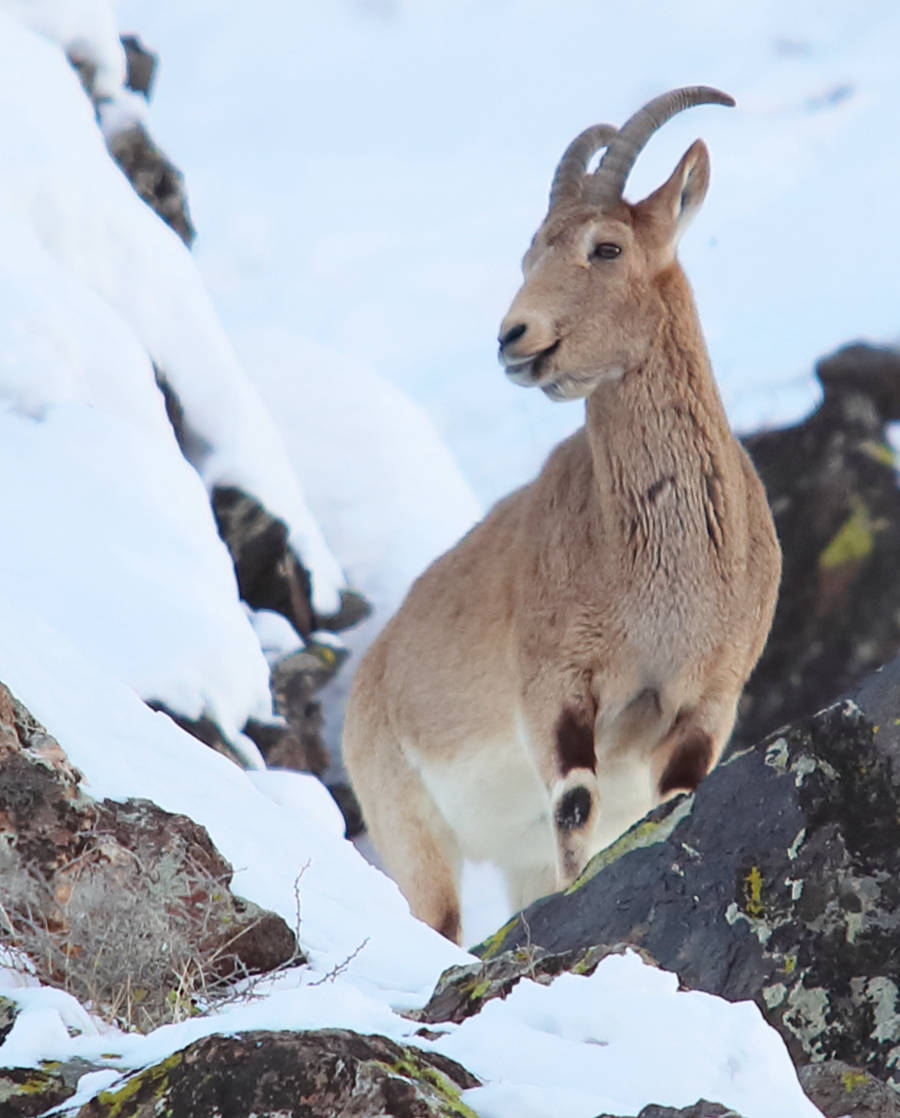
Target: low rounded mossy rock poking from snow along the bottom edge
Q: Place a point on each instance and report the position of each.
(293, 1075)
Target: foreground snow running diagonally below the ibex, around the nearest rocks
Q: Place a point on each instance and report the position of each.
(613, 1043)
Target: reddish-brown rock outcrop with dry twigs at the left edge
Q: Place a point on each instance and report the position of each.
(137, 893)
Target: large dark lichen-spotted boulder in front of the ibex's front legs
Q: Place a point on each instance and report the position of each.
(778, 882)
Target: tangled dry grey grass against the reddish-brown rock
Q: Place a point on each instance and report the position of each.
(140, 948)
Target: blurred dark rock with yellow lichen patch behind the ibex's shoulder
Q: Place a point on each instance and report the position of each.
(832, 487)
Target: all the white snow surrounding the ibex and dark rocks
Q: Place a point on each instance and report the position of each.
(365, 178)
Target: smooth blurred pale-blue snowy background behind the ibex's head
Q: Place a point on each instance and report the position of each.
(370, 175)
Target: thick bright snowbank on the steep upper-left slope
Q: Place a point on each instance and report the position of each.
(115, 537)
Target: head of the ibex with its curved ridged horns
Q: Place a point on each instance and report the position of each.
(591, 304)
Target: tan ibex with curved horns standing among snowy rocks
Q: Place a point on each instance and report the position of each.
(579, 657)
